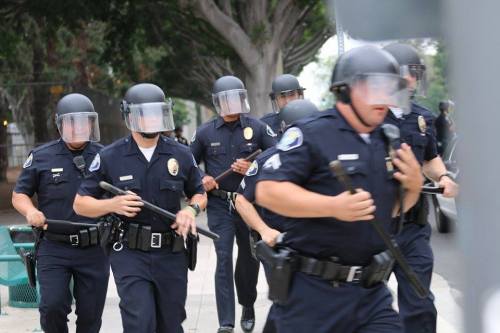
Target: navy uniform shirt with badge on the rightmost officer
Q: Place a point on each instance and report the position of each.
(417, 130)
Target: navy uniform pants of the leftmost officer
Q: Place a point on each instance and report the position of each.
(89, 267)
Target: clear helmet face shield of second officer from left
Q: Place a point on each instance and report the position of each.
(149, 117)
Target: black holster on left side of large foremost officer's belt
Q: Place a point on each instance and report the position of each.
(283, 265)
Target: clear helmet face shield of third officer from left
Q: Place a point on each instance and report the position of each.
(231, 102)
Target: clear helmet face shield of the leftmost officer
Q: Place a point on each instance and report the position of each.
(78, 127)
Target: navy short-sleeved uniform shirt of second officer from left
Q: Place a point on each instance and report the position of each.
(161, 181)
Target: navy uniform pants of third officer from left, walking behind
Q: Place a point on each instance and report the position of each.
(229, 224)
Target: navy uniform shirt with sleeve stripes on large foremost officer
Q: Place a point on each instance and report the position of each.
(304, 153)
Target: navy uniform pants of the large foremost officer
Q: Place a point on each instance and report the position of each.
(314, 305)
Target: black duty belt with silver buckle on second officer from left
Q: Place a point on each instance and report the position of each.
(141, 237)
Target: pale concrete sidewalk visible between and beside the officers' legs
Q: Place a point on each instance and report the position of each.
(201, 308)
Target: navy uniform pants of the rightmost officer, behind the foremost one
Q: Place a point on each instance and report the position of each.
(418, 315)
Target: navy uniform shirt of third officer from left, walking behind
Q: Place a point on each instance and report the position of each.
(218, 144)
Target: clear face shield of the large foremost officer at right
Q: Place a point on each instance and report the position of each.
(382, 90)
